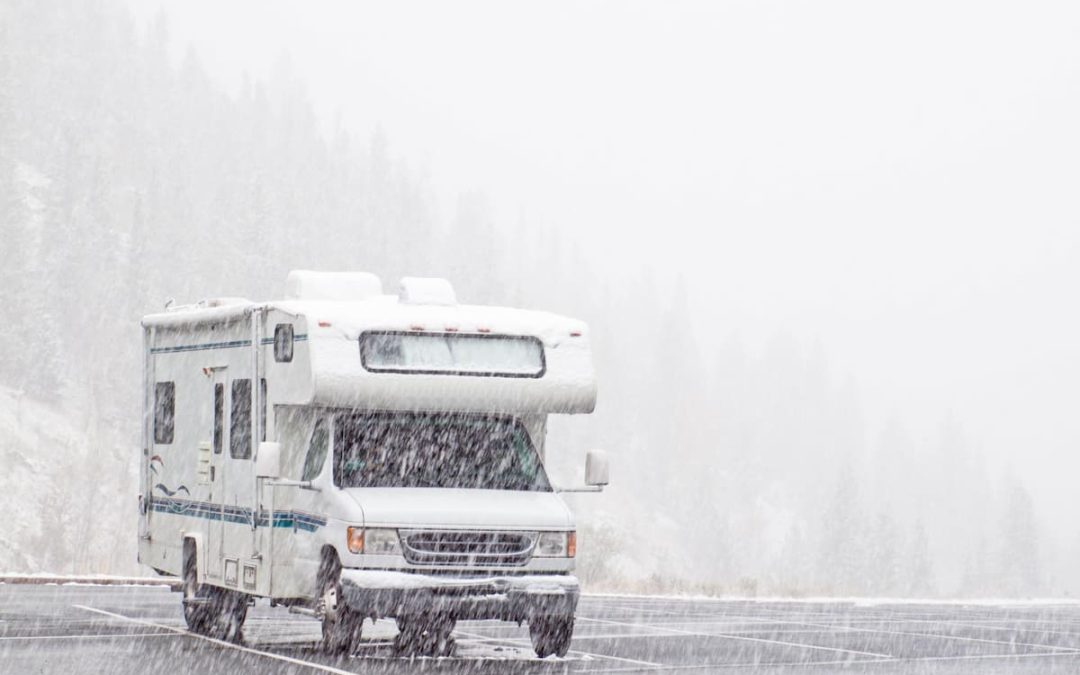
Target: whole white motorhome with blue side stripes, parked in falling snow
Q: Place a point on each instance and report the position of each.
(355, 455)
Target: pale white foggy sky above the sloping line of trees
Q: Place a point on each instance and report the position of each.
(895, 181)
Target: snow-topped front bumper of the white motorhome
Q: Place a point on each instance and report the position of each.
(379, 595)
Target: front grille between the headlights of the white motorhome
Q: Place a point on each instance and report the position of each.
(468, 549)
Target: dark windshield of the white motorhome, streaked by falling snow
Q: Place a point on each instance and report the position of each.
(424, 450)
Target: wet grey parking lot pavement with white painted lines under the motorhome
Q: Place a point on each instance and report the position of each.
(83, 629)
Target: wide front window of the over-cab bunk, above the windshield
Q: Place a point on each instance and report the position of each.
(451, 354)
